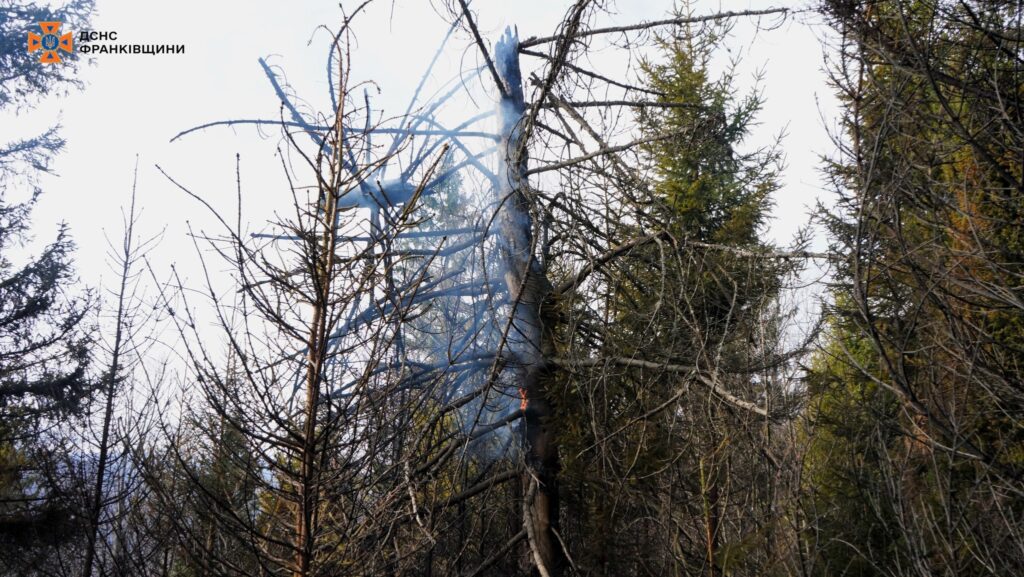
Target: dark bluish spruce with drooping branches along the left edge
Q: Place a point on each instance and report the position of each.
(45, 339)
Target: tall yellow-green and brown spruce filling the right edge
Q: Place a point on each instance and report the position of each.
(915, 431)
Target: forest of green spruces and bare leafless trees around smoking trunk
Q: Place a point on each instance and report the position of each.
(531, 324)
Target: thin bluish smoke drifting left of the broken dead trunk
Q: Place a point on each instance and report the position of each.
(432, 201)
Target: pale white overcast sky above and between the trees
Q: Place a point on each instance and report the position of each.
(133, 106)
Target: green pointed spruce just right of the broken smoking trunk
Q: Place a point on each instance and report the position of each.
(662, 478)
